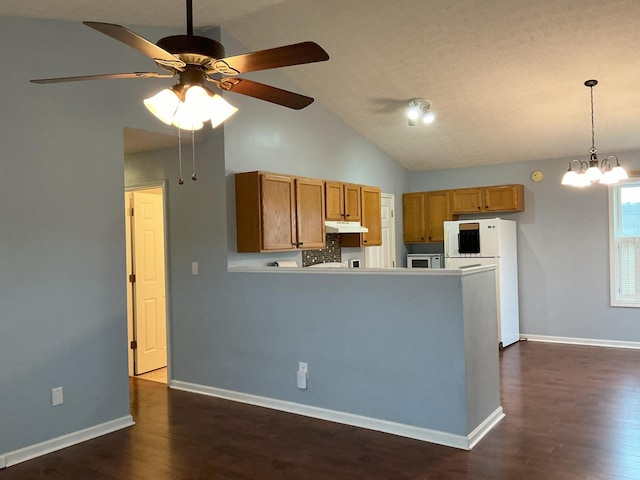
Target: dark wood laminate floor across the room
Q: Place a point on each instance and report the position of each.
(573, 412)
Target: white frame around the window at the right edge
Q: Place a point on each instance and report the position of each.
(614, 271)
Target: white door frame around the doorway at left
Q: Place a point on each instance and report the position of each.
(162, 184)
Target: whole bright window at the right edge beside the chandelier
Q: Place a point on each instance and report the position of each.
(625, 244)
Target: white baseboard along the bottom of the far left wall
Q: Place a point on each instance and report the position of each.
(33, 451)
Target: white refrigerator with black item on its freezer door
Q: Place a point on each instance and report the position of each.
(486, 242)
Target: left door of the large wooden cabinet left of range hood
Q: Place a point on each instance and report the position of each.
(278, 212)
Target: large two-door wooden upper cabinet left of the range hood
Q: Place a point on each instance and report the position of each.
(278, 212)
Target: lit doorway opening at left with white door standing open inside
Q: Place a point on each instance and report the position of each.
(146, 282)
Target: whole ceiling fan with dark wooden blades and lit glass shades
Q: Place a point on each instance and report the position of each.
(196, 60)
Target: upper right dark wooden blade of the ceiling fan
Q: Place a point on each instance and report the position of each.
(296, 54)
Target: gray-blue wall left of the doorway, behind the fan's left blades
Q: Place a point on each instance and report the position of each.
(62, 251)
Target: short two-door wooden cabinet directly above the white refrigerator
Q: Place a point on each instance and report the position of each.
(498, 198)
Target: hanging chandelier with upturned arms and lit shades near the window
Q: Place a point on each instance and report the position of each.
(593, 170)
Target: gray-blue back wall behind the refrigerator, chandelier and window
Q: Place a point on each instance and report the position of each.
(563, 248)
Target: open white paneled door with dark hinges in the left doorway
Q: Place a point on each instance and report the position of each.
(149, 305)
